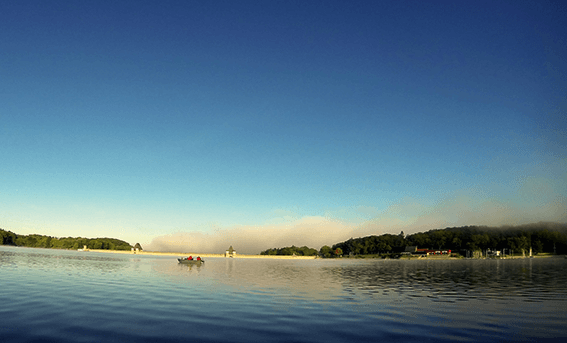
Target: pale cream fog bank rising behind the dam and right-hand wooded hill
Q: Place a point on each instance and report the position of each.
(538, 202)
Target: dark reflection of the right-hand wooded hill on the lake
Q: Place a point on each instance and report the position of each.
(530, 279)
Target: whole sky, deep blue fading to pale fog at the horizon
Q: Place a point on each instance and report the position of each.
(191, 124)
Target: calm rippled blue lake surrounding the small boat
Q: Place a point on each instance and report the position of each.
(69, 296)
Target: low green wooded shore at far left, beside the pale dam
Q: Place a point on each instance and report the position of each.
(40, 241)
